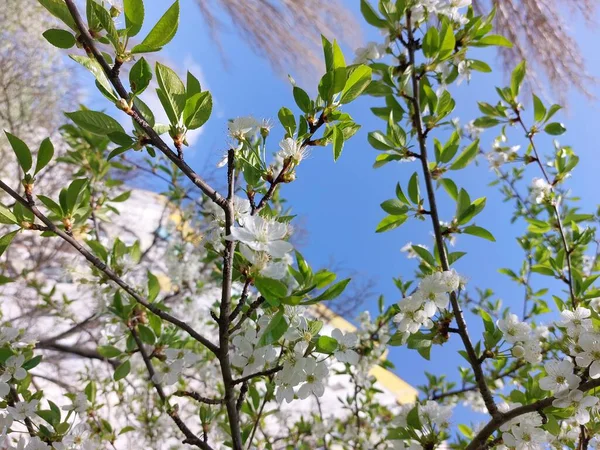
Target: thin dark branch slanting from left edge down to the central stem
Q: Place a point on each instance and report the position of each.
(99, 264)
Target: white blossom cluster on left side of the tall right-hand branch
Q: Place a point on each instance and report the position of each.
(417, 310)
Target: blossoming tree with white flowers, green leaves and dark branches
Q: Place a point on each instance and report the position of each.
(217, 378)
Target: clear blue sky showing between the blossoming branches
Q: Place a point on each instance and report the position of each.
(339, 202)
